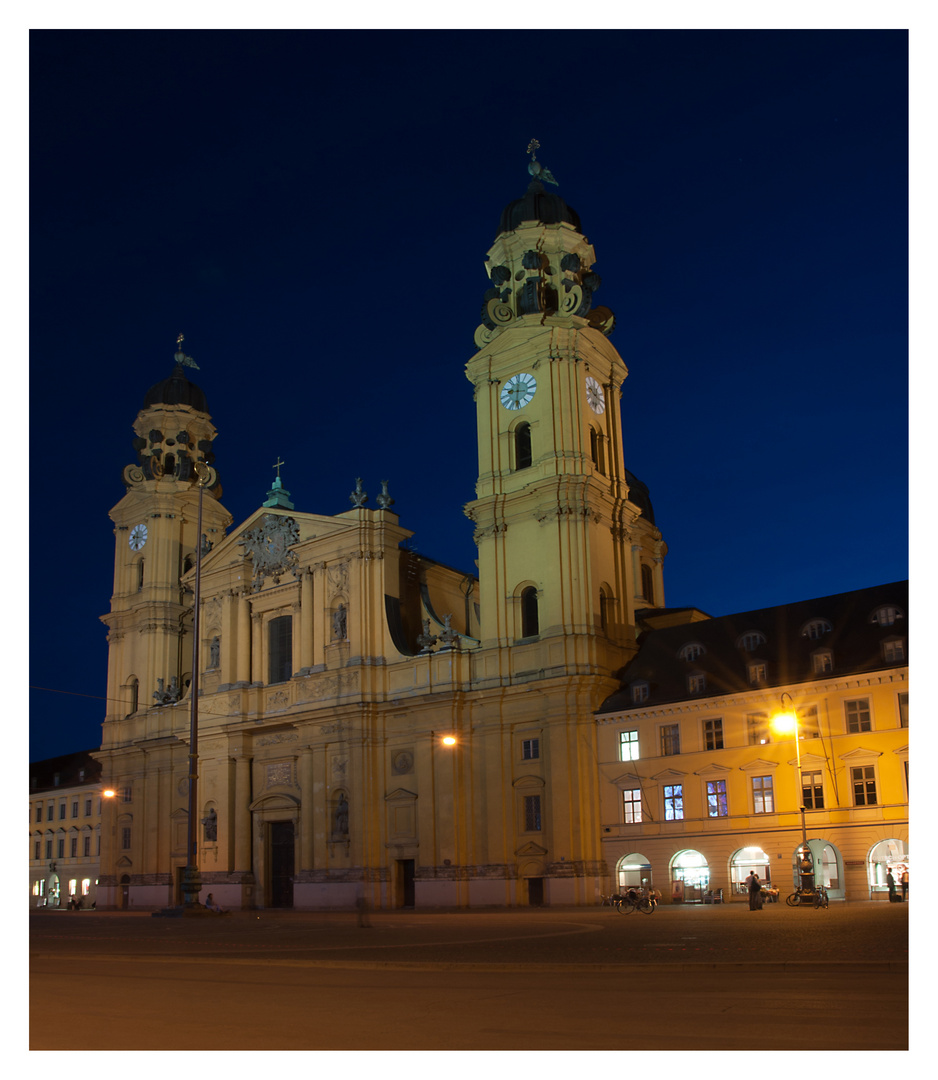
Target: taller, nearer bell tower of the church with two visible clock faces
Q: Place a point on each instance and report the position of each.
(554, 524)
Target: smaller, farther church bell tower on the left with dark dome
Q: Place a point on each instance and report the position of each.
(149, 624)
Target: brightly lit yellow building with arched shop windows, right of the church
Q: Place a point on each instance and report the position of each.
(700, 788)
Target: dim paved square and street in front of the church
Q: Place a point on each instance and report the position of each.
(683, 979)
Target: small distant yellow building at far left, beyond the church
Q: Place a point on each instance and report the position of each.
(65, 823)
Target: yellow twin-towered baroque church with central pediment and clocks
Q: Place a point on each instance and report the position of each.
(374, 726)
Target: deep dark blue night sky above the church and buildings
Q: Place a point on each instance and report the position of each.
(312, 210)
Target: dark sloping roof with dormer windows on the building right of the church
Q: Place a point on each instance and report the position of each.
(778, 637)
